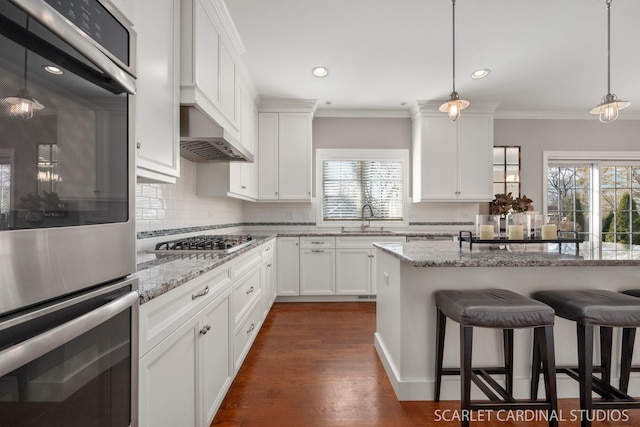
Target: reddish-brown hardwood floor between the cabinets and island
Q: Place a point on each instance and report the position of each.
(314, 364)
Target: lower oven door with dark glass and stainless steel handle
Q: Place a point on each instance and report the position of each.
(72, 363)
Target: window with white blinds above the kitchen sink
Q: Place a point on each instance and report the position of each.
(352, 179)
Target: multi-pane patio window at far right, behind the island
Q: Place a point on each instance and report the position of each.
(596, 195)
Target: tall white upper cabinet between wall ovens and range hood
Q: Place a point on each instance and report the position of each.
(157, 97)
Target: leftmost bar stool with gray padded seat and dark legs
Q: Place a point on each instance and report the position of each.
(498, 309)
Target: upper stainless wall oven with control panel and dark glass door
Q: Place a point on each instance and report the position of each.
(66, 161)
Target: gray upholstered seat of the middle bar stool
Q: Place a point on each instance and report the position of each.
(593, 307)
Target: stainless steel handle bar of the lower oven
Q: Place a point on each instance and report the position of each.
(31, 349)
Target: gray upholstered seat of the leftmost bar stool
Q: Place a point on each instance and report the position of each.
(493, 308)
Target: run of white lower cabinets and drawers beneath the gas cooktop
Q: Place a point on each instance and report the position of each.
(193, 340)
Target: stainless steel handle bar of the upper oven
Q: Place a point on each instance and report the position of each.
(57, 24)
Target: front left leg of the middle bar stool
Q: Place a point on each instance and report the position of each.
(585, 371)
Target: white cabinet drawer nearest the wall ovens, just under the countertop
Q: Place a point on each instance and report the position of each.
(163, 315)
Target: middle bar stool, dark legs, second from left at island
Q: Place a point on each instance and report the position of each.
(589, 308)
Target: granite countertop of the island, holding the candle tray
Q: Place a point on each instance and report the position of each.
(449, 254)
